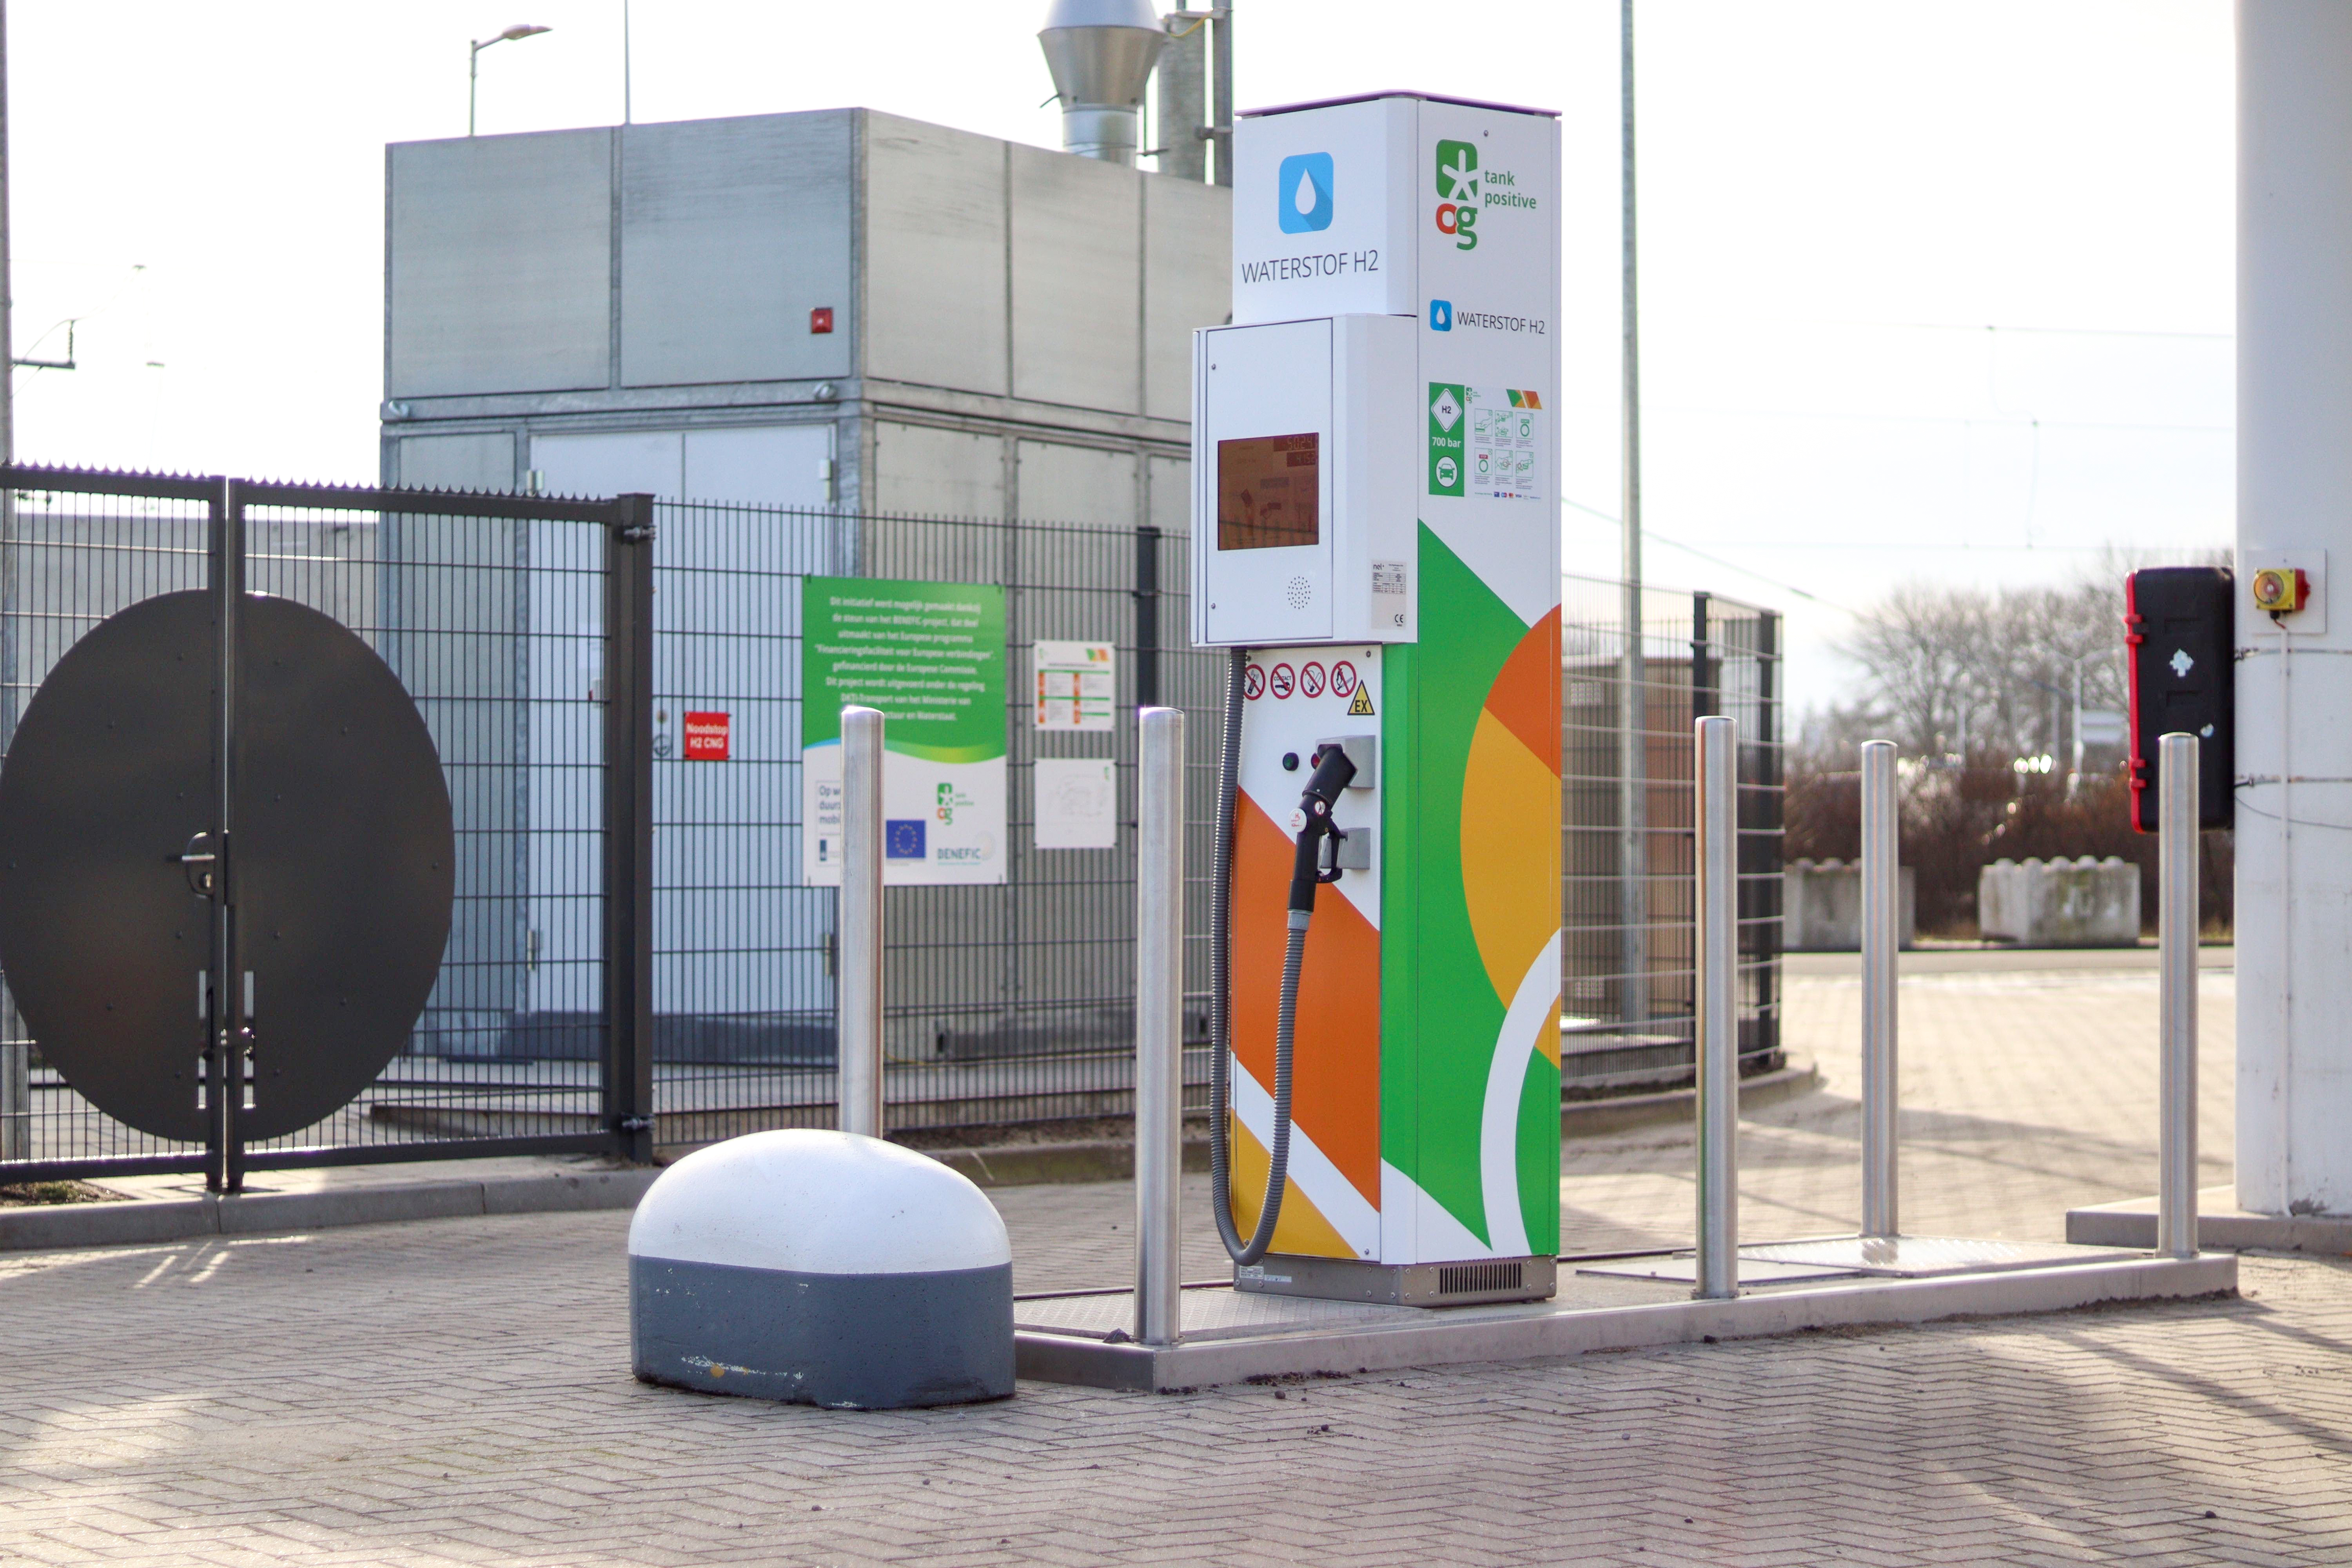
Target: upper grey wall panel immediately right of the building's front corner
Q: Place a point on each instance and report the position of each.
(935, 257)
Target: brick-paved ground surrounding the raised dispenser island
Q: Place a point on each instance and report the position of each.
(457, 1393)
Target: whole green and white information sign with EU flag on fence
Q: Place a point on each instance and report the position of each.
(933, 659)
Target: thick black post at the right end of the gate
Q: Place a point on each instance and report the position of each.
(629, 829)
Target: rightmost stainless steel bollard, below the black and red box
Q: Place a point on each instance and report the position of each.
(2177, 1007)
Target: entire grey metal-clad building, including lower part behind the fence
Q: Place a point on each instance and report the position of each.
(843, 314)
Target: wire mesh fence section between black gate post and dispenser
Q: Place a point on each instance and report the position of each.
(1003, 1003)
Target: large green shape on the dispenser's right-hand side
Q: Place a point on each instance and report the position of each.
(1443, 1014)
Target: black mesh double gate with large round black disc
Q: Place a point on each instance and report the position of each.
(481, 605)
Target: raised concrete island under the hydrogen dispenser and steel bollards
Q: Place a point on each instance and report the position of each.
(1231, 1336)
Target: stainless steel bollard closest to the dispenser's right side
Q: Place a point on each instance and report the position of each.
(1718, 1012)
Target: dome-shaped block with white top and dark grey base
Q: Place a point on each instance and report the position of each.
(822, 1268)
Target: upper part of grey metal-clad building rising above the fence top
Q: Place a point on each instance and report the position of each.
(822, 309)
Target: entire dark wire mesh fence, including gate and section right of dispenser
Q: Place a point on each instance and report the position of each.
(1005, 1003)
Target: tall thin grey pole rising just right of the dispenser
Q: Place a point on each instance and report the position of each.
(1633, 706)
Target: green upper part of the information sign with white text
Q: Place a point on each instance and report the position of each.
(928, 655)
